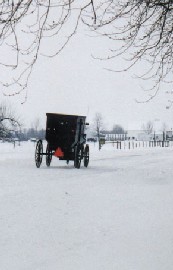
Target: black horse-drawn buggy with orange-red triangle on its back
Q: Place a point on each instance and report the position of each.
(66, 139)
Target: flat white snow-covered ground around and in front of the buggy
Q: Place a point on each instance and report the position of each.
(117, 214)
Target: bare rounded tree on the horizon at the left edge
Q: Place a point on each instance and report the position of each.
(9, 121)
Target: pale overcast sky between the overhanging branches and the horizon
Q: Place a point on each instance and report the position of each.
(75, 83)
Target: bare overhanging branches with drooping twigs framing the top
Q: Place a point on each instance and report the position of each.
(144, 28)
